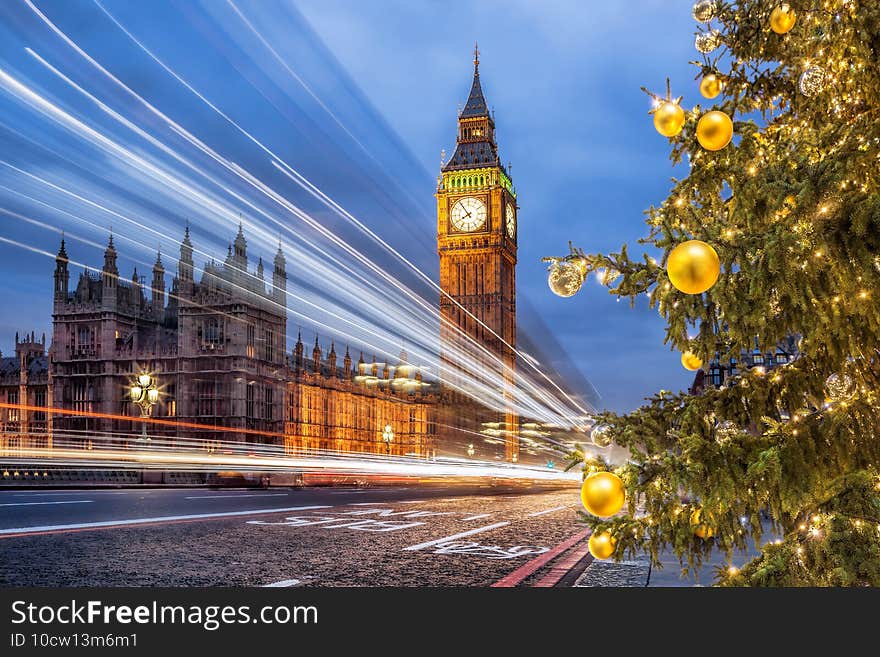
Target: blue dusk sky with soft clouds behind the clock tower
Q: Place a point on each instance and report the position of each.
(379, 84)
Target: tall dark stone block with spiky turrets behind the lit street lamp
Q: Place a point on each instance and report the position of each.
(216, 348)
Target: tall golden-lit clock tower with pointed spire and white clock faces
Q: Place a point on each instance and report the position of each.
(476, 240)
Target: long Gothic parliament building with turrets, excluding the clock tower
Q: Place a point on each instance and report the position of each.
(217, 349)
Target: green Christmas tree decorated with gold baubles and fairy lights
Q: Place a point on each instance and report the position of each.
(784, 186)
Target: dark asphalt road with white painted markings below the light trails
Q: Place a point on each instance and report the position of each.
(416, 536)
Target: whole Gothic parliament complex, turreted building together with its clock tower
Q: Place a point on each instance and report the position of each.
(216, 344)
